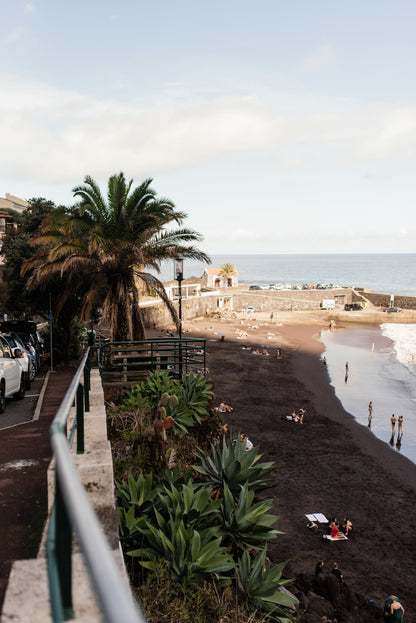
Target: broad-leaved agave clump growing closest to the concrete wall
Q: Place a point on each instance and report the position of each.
(176, 524)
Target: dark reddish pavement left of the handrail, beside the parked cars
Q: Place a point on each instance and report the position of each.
(25, 454)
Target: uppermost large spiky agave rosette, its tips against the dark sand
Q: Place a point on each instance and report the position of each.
(233, 466)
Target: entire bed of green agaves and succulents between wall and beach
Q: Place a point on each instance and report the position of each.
(190, 533)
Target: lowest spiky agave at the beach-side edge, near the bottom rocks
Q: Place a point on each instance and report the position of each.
(260, 585)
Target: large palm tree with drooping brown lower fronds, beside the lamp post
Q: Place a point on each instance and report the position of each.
(109, 244)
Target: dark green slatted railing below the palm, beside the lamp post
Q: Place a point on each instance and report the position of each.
(132, 361)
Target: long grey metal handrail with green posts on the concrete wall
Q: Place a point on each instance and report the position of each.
(72, 512)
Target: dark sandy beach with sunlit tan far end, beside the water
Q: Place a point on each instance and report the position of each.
(330, 464)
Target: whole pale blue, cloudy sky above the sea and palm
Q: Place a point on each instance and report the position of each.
(278, 127)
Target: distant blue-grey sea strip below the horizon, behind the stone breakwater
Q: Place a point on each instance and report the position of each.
(391, 274)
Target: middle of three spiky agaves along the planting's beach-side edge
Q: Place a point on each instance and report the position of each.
(246, 523)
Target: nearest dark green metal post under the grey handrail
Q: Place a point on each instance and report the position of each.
(63, 544)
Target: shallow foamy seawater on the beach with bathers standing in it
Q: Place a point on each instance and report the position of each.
(381, 368)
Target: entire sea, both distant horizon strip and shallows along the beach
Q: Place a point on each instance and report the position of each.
(381, 360)
